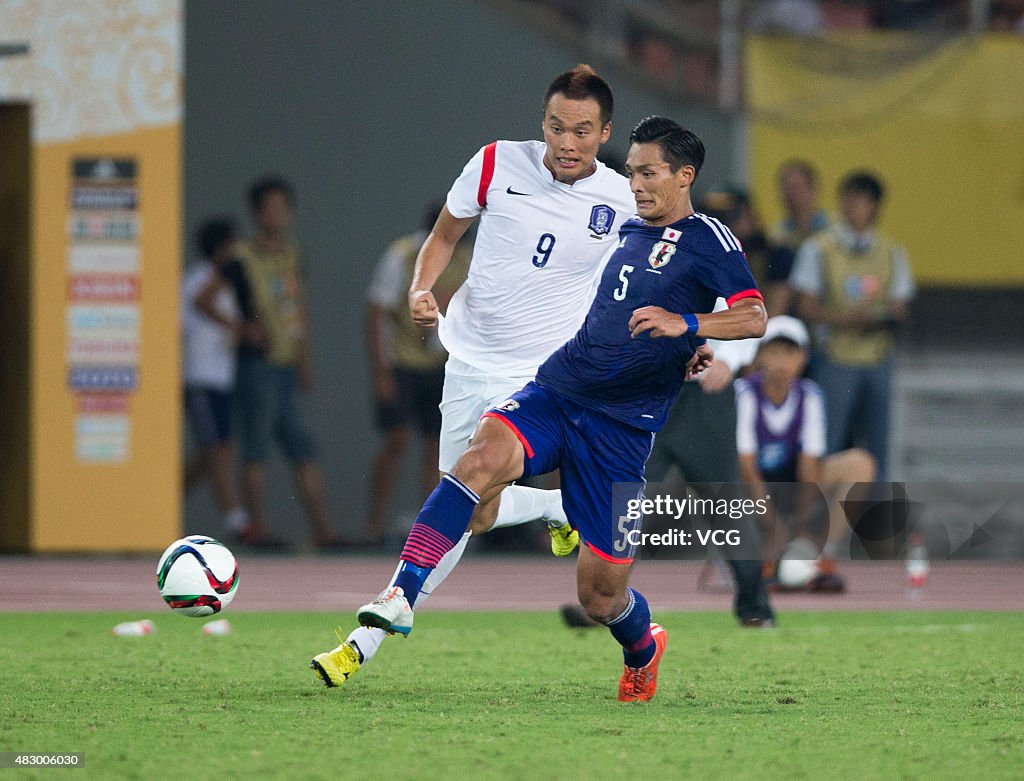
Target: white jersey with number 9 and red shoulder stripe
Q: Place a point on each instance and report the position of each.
(539, 245)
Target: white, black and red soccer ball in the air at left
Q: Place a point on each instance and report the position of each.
(197, 577)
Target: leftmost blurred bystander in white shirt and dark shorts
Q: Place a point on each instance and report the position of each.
(210, 326)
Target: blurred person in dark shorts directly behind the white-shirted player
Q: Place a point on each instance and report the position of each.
(408, 368)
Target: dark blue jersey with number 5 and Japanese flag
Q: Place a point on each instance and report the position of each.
(682, 269)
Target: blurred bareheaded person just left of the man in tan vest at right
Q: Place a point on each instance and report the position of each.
(798, 190)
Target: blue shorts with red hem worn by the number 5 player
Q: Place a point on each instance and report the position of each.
(602, 462)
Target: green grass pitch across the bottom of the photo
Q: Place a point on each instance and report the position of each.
(924, 696)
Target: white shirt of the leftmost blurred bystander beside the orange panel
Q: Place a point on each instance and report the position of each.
(207, 348)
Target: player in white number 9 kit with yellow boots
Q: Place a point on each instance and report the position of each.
(549, 211)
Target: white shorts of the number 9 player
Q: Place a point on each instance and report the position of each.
(468, 394)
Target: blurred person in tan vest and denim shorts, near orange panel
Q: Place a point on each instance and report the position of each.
(274, 371)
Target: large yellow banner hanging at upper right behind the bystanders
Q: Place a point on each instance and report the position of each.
(943, 123)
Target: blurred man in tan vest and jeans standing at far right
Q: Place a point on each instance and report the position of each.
(855, 285)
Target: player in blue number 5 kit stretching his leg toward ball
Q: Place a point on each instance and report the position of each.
(598, 402)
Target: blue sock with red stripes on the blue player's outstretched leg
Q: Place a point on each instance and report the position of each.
(439, 528)
